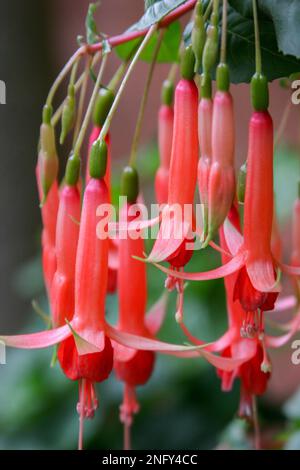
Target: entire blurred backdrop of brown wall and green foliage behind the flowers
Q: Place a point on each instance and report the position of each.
(182, 406)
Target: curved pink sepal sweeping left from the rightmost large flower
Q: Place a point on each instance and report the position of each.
(229, 268)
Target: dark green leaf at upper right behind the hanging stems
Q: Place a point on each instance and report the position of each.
(241, 48)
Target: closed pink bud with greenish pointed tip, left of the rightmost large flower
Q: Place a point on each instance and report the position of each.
(221, 183)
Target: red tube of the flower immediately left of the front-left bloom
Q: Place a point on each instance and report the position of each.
(67, 232)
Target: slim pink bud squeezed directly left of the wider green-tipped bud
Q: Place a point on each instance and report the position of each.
(205, 113)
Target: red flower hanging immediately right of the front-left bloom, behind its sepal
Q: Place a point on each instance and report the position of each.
(134, 367)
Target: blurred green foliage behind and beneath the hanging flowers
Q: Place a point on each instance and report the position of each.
(181, 407)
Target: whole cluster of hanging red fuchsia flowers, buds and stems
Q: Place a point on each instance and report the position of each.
(83, 262)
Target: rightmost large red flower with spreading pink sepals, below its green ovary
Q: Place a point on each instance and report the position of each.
(252, 257)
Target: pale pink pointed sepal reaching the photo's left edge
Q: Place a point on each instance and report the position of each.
(39, 340)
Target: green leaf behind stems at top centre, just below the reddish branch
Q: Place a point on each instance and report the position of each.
(169, 50)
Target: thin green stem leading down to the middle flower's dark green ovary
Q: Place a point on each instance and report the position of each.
(138, 129)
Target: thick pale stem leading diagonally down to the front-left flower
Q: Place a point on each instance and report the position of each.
(114, 107)
